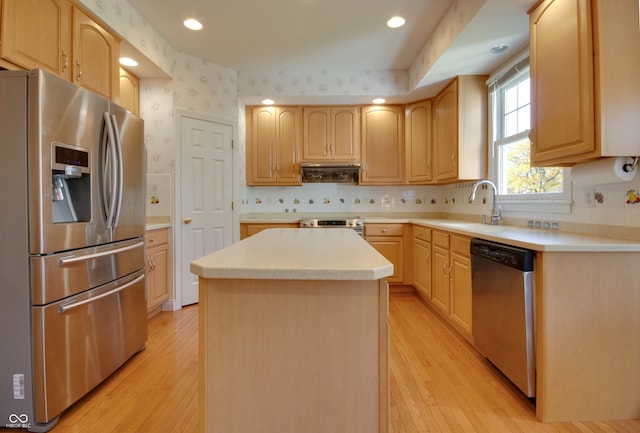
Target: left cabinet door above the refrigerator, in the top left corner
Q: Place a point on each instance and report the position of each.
(37, 34)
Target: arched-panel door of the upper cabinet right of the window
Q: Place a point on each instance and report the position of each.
(562, 82)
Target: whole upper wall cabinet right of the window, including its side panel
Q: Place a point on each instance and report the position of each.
(585, 58)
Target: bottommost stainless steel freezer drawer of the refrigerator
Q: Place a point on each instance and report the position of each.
(79, 341)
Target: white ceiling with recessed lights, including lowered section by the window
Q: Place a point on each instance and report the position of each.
(315, 35)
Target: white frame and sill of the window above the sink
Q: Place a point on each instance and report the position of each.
(540, 202)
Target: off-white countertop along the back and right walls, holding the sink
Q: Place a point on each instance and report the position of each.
(524, 237)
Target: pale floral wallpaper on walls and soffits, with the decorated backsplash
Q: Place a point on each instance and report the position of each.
(214, 91)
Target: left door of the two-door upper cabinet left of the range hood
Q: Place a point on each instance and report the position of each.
(261, 145)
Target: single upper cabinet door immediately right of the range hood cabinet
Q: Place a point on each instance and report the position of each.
(382, 145)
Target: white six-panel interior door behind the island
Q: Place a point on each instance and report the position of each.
(206, 195)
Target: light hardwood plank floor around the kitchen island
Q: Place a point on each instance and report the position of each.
(439, 384)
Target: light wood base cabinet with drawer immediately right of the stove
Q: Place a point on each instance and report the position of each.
(388, 240)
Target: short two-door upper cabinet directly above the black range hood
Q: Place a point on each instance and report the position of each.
(331, 133)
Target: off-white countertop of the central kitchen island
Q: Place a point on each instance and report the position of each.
(296, 254)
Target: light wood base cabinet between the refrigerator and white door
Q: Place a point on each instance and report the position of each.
(158, 266)
